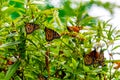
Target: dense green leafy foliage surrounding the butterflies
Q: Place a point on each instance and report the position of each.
(28, 51)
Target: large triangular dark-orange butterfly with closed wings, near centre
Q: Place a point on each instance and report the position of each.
(51, 34)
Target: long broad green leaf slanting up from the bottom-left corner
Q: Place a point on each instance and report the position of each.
(12, 70)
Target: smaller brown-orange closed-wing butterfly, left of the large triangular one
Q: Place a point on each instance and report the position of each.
(30, 27)
